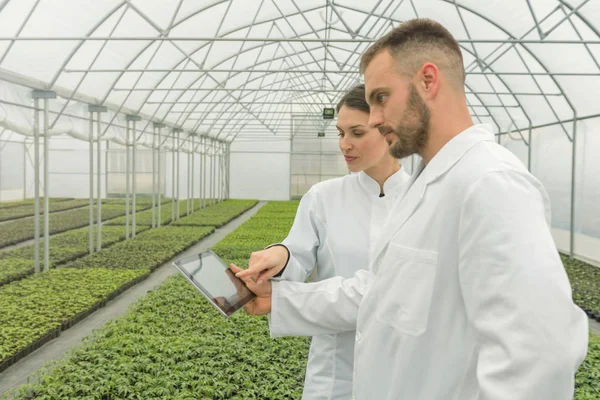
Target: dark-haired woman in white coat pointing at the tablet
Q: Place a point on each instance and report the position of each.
(336, 225)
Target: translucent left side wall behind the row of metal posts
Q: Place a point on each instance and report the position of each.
(69, 171)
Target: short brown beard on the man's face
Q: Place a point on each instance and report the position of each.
(413, 130)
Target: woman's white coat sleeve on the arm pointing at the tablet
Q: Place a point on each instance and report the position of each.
(304, 239)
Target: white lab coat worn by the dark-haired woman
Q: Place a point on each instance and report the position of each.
(336, 223)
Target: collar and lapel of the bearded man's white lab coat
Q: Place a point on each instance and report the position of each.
(423, 175)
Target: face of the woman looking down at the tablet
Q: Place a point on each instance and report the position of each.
(362, 147)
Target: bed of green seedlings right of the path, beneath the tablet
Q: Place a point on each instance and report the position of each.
(173, 344)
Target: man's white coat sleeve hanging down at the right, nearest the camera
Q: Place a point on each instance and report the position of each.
(531, 335)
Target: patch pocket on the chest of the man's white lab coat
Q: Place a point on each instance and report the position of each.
(405, 300)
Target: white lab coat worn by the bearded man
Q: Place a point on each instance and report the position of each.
(467, 298)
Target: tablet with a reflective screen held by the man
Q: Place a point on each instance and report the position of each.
(216, 281)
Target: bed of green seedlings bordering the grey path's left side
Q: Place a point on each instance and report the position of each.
(32, 316)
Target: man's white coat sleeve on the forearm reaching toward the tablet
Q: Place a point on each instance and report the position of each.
(317, 308)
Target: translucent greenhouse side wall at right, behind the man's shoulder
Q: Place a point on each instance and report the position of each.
(551, 163)
